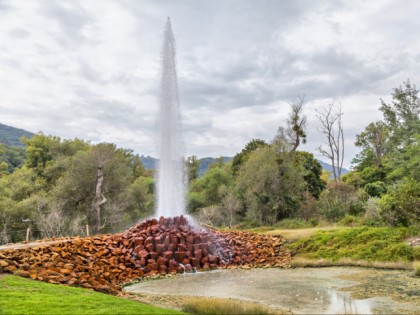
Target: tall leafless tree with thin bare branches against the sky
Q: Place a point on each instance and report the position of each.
(332, 128)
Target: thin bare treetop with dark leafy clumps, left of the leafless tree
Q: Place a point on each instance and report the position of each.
(296, 123)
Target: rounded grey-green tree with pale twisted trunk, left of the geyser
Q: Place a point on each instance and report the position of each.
(103, 172)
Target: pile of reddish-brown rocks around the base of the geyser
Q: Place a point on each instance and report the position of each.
(167, 245)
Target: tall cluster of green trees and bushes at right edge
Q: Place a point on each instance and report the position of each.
(389, 165)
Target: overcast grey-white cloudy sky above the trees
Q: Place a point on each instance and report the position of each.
(91, 69)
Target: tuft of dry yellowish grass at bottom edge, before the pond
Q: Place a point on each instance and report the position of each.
(199, 305)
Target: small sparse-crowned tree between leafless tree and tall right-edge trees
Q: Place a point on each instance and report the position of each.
(374, 138)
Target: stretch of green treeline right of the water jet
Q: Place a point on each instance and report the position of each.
(275, 184)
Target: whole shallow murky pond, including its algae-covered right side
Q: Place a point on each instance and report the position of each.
(303, 291)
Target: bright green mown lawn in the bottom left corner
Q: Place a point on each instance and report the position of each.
(24, 296)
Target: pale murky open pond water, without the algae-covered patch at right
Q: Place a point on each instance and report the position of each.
(304, 291)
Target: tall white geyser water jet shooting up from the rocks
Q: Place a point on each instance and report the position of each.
(170, 171)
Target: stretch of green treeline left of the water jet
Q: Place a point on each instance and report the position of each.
(53, 188)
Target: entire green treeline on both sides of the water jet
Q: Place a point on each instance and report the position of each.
(58, 186)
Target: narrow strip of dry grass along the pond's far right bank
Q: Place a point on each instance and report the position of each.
(346, 262)
